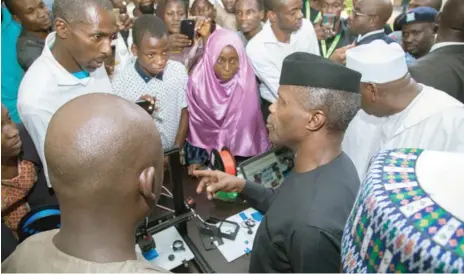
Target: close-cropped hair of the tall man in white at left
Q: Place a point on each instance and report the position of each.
(74, 11)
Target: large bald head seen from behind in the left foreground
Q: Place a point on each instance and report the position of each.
(100, 150)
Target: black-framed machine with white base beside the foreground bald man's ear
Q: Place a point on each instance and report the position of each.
(163, 237)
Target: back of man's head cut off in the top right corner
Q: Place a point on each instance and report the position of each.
(451, 22)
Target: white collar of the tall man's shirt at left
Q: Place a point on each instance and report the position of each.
(63, 77)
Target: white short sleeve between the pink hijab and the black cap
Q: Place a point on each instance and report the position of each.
(264, 69)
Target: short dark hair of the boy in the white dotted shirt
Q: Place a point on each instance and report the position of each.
(148, 24)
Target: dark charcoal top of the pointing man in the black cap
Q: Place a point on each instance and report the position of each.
(304, 219)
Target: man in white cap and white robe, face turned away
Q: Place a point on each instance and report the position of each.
(397, 111)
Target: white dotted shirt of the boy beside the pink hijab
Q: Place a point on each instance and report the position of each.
(170, 94)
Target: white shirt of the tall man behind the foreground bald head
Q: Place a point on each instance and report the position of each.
(46, 87)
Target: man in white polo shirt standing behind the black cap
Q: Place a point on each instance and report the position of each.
(286, 32)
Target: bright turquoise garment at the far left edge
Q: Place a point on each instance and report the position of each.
(12, 73)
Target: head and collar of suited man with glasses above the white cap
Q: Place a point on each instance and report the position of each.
(368, 19)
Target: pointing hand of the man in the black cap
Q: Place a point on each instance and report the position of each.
(213, 181)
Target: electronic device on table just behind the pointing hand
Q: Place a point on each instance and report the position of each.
(268, 169)
